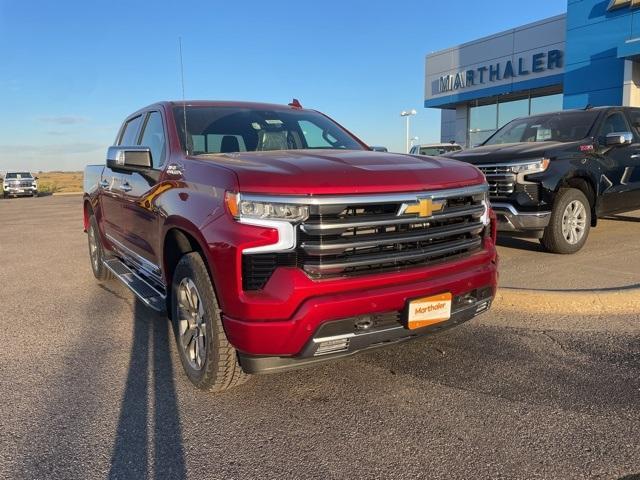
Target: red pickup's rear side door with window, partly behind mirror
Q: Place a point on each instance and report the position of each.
(111, 185)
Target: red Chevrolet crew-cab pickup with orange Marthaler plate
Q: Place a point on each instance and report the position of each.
(274, 238)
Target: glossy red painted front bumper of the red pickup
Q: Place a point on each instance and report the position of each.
(349, 298)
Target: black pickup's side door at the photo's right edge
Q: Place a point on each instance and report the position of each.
(620, 176)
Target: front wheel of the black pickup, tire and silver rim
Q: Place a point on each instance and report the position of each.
(558, 240)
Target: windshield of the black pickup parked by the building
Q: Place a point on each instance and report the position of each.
(555, 127)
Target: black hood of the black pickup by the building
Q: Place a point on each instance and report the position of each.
(513, 152)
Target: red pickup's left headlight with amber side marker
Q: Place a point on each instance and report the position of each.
(251, 209)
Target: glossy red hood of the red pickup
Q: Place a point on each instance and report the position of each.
(343, 171)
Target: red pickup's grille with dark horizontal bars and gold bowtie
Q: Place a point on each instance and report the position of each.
(373, 235)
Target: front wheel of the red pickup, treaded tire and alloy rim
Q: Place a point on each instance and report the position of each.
(219, 370)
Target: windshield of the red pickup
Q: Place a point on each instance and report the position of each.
(234, 129)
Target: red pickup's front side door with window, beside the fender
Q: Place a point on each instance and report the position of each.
(140, 217)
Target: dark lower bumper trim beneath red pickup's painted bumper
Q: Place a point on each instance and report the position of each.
(346, 337)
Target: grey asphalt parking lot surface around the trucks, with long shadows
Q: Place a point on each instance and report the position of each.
(91, 385)
